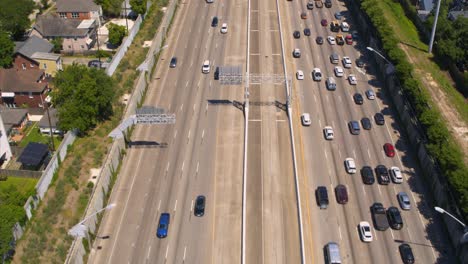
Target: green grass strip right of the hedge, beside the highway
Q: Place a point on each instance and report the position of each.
(407, 33)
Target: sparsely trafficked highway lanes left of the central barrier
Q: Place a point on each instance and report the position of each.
(183, 170)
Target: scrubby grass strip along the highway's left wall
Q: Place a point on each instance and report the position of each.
(45, 239)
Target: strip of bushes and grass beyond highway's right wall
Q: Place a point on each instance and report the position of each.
(396, 32)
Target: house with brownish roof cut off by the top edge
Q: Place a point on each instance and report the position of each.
(79, 9)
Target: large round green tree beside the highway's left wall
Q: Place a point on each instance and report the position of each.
(83, 97)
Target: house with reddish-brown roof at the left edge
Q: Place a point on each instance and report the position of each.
(23, 88)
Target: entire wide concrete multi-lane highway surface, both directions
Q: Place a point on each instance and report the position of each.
(205, 150)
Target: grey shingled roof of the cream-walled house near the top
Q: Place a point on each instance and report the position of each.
(53, 26)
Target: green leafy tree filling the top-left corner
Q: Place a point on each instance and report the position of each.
(14, 16)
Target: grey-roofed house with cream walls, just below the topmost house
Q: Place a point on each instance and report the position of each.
(78, 35)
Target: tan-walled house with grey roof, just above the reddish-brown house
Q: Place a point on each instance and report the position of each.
(35, 53)
